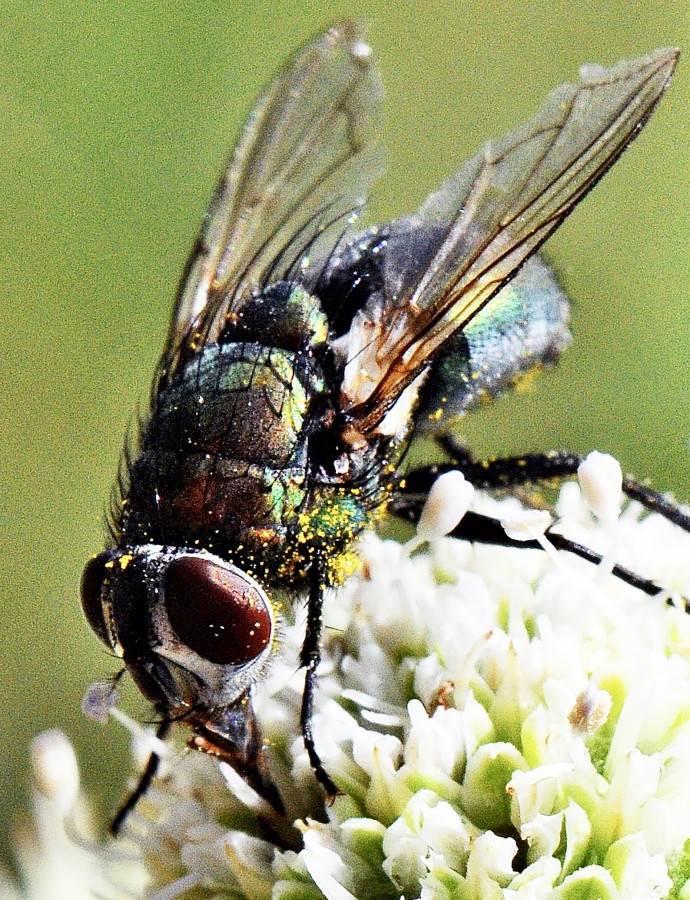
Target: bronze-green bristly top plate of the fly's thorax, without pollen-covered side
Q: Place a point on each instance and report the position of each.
(225, 449)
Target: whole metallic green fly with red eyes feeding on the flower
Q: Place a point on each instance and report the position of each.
(302, 358)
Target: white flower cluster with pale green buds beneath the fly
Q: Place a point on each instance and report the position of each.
(500, 725)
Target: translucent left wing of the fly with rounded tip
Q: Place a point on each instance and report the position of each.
(305, 160)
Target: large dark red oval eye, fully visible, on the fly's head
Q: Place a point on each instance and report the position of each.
(217, 611)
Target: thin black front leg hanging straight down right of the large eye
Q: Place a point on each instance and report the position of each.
(310, 657)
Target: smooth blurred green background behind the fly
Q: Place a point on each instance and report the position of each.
(115, 119)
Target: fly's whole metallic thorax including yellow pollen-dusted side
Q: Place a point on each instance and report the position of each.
(226, 464)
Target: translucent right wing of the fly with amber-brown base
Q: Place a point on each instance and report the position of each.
(445, 263)
